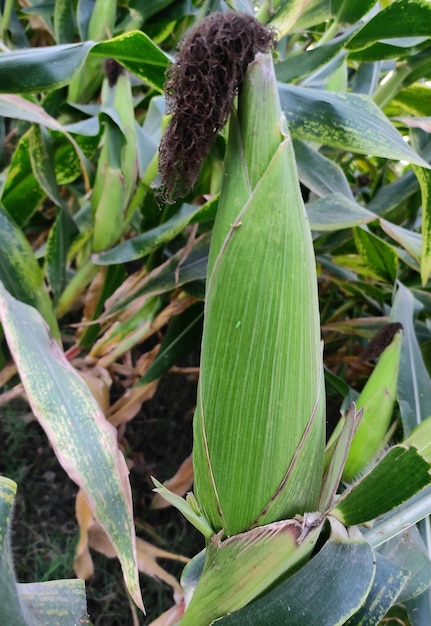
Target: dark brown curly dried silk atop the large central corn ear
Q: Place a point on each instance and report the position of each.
(200, 90)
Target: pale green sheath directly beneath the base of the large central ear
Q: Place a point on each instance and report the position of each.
(254, 559)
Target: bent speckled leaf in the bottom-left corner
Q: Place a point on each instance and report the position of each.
(54, 603)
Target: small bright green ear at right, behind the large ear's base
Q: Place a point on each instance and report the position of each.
(377, 401)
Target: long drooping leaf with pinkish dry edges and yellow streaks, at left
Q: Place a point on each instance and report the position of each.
(83, 440)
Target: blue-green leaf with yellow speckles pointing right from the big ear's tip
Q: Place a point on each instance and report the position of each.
(348, 121)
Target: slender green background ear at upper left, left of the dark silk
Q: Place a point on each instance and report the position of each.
(117, 165)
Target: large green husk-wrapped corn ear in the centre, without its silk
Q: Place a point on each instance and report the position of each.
(259, 421)
